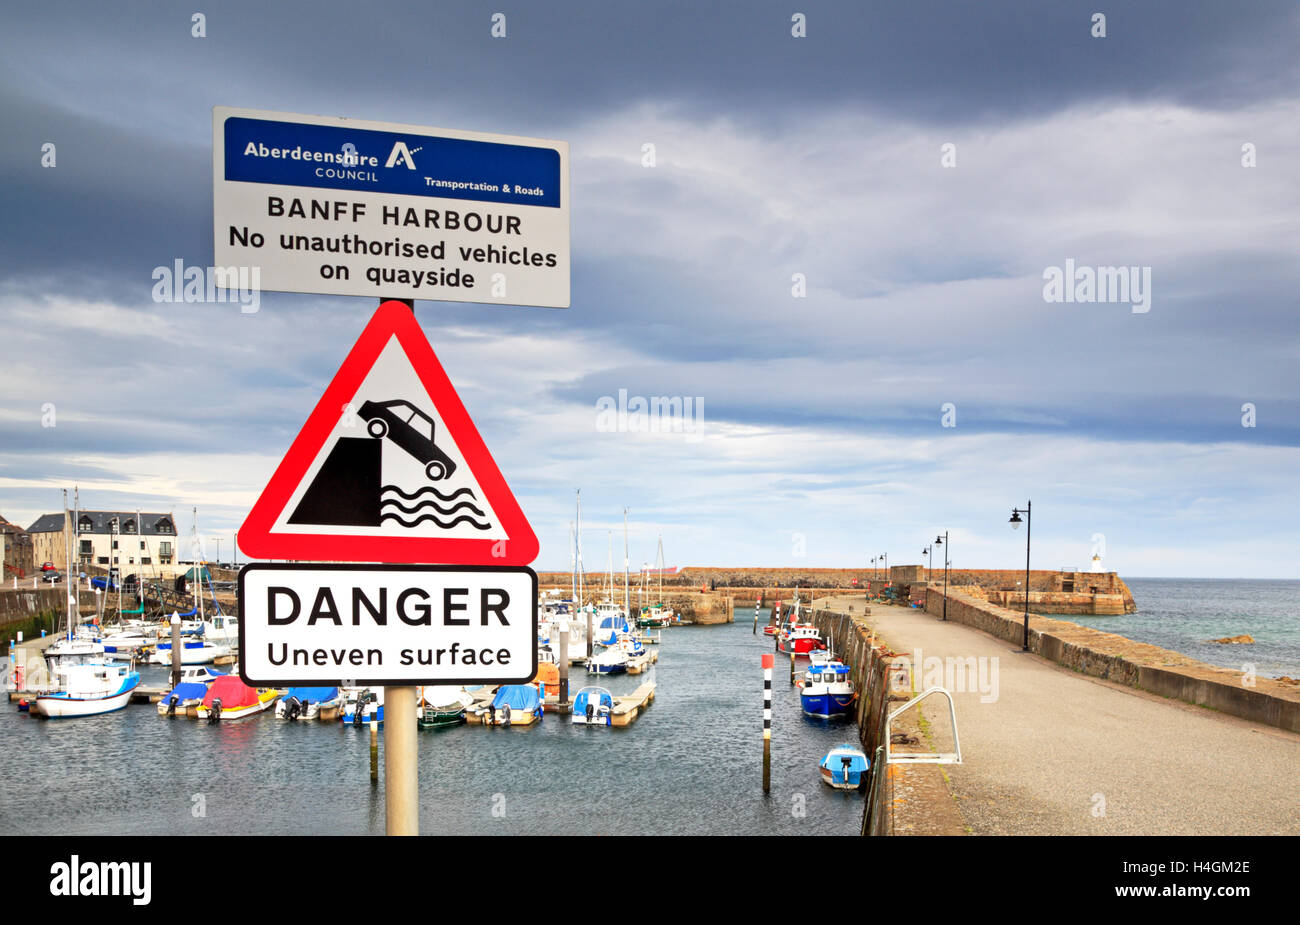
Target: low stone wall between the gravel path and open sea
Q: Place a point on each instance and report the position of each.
(1136, 665)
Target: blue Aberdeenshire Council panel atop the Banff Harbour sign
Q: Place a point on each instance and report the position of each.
(293, 154)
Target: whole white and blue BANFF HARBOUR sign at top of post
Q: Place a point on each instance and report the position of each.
(349, 207)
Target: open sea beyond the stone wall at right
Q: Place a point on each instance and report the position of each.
(1186, 614)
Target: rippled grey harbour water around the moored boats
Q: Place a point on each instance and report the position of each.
(691, 765)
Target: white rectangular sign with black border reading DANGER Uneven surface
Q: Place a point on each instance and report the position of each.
(307, 624)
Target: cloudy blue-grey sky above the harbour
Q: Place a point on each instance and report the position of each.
(824, 440)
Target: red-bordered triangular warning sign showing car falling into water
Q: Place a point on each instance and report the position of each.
(389, 468)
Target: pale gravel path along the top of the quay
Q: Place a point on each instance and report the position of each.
(1060, 753)
